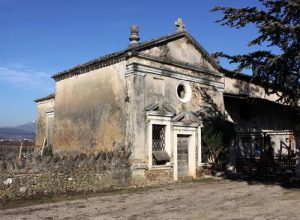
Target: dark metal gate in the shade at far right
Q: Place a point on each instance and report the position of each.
(266, 154)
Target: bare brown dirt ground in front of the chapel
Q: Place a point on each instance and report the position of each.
(206, 199)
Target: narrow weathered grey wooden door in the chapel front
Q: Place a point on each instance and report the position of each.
(182, 155)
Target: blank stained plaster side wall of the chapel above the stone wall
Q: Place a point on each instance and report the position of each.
(90, 111)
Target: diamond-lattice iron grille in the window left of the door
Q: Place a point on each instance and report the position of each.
(158, 137)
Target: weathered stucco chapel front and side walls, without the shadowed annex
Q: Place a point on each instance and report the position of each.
(127, 96)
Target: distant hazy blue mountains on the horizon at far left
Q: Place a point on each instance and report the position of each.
(25, 131)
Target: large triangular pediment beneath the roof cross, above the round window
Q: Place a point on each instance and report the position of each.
(179, 48)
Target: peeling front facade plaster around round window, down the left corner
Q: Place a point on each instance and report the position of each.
(150, 88)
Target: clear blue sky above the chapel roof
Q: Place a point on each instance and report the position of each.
(39, 38)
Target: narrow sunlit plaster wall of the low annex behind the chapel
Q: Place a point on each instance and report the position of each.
(41, 126)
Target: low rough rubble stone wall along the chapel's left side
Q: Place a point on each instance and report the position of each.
(20, 178)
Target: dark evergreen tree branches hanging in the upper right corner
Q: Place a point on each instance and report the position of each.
(278, 26)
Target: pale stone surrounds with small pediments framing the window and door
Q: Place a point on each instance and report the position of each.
(185, 123)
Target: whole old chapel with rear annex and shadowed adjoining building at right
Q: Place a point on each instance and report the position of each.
(149, 97)
